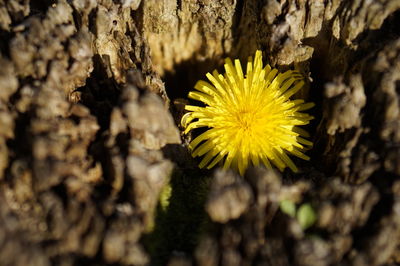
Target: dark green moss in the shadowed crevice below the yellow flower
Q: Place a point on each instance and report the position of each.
(180, 216)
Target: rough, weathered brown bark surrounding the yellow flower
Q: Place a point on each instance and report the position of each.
(92, 169)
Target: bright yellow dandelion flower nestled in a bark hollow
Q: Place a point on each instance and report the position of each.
(250, 119)
